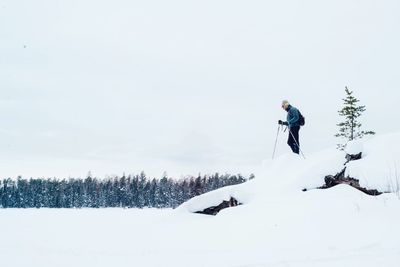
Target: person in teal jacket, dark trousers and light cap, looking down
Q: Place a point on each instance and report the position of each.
(293, 123)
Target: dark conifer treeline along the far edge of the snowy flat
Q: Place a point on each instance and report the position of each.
(134, 191)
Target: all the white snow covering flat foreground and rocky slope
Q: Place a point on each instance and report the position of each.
(277, 225)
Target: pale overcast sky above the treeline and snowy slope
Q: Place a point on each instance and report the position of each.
(185, 86)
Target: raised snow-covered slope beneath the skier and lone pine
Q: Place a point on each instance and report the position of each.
(289, 174)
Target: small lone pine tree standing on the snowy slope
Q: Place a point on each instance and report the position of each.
(350, 128)
